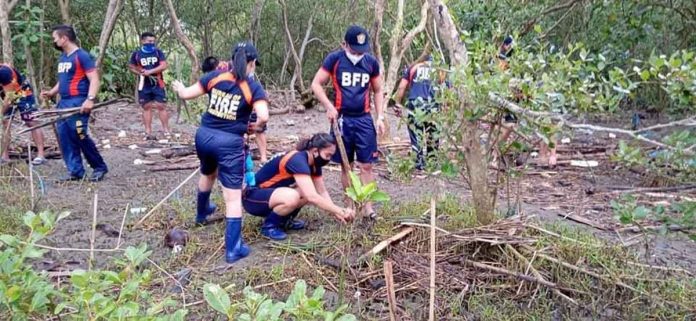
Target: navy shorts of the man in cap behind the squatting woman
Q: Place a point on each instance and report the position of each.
(359, 137)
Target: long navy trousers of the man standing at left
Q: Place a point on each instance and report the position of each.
(74, 141)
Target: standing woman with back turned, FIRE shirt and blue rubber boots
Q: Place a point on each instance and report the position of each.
(220, 138)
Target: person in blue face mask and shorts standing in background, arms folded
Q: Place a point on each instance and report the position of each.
(148, 63)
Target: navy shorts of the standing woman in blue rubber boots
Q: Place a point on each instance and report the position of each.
(221, 151)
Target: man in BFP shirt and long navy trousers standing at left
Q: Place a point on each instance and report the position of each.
(78, 85)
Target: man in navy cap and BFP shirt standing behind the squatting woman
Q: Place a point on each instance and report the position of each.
(354, 75)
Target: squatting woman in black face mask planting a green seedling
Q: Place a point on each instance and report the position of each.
(288, 182)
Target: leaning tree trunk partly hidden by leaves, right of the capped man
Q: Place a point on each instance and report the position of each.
(483, 193)
